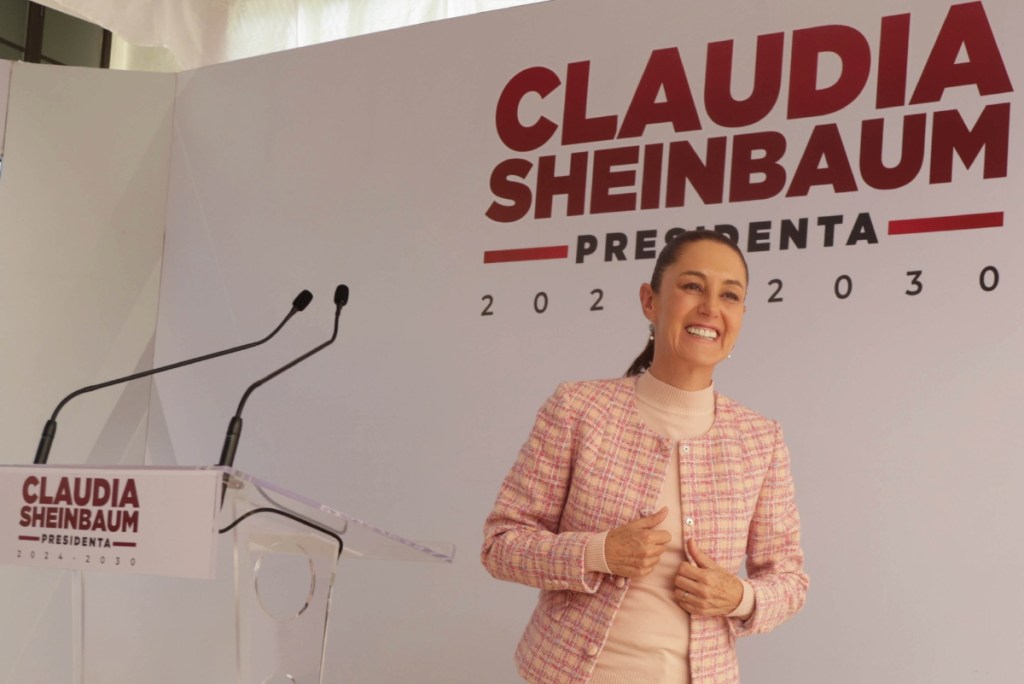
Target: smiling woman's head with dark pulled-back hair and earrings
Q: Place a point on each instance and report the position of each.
(698, 314)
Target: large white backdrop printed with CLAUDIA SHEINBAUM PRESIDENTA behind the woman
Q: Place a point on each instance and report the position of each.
(369, 162)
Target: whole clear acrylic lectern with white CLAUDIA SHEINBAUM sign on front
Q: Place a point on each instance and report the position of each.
(172, 575)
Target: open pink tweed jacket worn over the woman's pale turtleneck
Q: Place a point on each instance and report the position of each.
(589, 465)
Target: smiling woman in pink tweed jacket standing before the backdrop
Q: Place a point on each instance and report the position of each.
(635, 501)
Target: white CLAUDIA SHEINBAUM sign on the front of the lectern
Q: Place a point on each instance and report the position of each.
(143, 521)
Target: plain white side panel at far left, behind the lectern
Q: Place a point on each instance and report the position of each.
(82, 202)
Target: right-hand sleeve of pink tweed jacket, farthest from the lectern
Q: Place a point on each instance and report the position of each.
(775, 560)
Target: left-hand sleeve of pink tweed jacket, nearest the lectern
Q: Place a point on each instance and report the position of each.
(522, 538)
